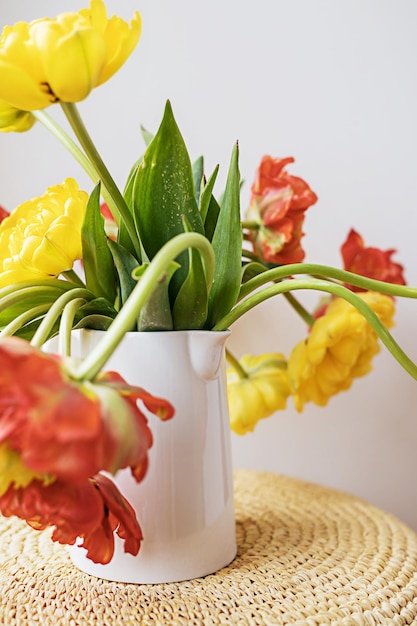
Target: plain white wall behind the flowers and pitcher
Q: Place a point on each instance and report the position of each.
(334, 85)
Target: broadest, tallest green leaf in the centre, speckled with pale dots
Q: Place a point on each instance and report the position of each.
(163, 192)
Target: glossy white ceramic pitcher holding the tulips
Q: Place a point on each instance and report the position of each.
(185, 502)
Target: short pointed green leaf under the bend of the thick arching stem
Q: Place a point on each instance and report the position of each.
(190, 306)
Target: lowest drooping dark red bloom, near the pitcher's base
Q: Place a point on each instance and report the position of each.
(92, 511)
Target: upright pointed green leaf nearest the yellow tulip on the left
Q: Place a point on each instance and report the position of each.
(97, 259)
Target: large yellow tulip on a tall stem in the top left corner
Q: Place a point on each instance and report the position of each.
(63, 58)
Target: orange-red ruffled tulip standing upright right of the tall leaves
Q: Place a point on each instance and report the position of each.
(278, 204)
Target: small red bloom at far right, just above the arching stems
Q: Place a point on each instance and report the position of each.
(370, 262)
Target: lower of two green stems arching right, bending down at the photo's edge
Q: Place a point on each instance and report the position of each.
(337, 290)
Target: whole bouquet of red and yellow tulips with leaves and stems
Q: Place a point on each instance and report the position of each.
(166, 253)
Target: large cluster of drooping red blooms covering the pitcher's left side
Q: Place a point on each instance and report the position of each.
(56, 434)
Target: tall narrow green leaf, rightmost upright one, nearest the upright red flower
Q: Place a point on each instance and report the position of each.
(227, 246)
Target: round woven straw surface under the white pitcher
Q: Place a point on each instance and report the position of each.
(307, 555)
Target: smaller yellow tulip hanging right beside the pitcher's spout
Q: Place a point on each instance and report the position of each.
(263, 391)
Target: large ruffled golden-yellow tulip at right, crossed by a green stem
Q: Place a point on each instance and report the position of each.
(339, 348)
